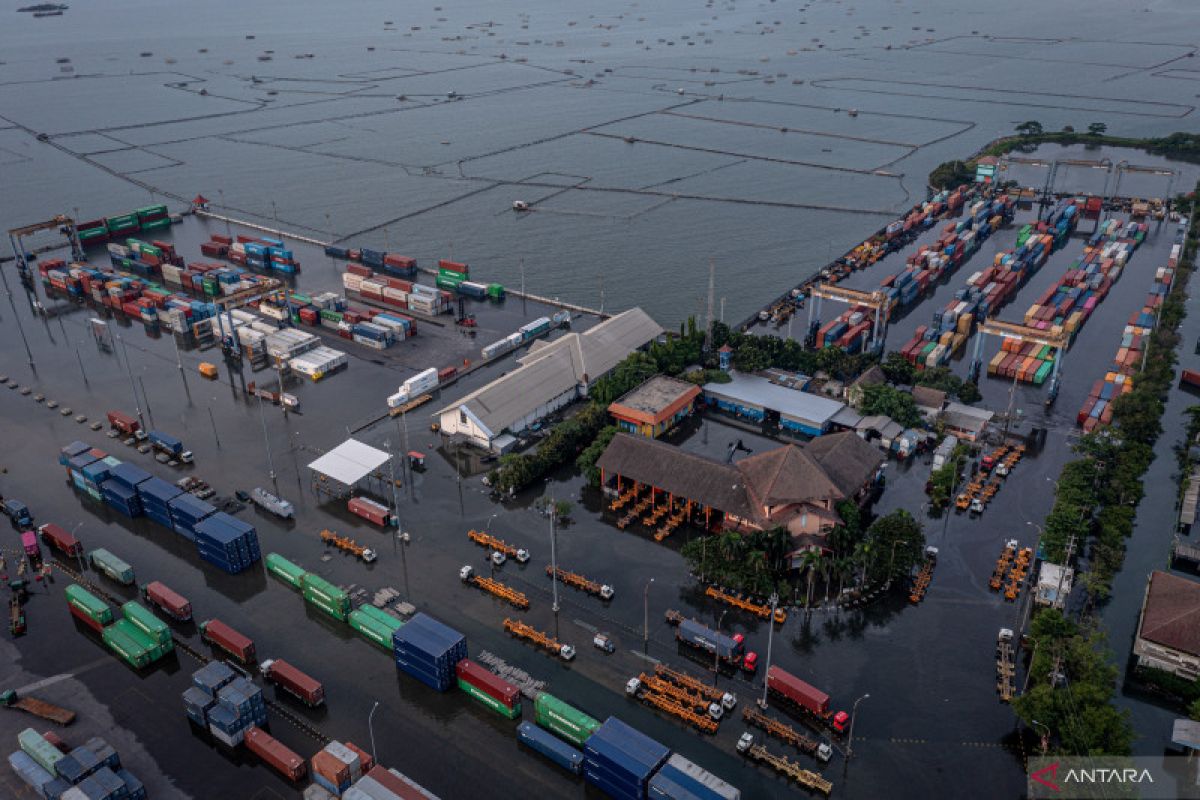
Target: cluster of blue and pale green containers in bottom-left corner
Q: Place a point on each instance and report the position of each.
(91, 772)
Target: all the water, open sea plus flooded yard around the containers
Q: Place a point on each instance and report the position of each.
(692, 159)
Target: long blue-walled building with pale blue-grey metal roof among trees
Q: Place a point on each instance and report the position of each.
(761, 401)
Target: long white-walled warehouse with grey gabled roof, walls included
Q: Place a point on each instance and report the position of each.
(553, 375)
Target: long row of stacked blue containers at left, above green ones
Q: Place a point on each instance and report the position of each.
(220, 539)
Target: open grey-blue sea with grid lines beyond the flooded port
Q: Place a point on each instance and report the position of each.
(651, 139)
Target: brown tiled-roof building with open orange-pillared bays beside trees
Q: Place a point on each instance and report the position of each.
(796, 488)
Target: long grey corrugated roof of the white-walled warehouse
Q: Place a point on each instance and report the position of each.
(551, 369)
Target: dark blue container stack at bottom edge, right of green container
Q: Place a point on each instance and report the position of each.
(620, 761)
